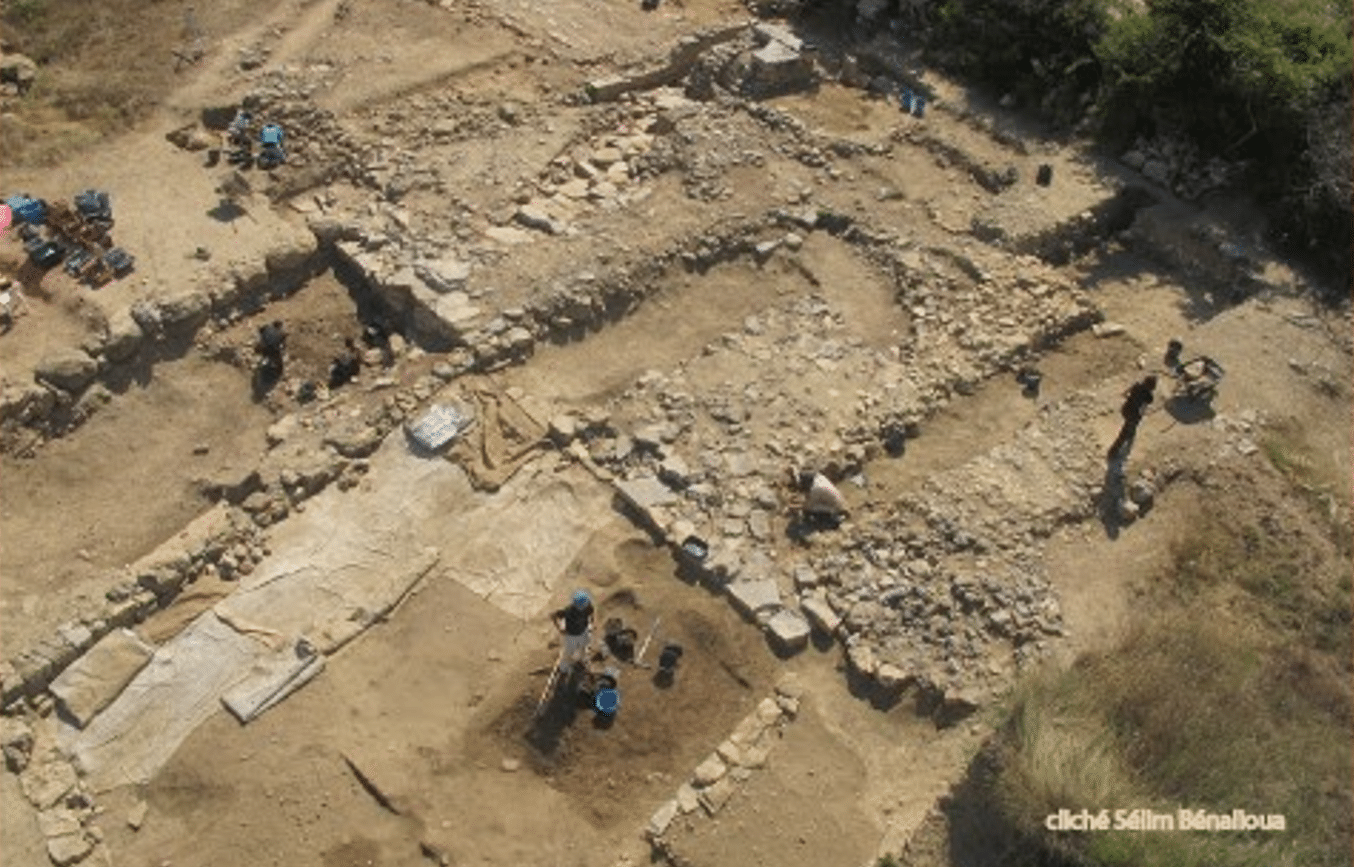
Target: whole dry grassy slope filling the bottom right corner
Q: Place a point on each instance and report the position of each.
(1234, 696)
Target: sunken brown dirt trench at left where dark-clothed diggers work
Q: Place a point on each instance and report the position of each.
(162, 427)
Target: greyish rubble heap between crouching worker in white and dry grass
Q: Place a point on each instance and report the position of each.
(947, 590)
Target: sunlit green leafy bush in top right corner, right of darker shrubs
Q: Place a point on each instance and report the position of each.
(1267, 81)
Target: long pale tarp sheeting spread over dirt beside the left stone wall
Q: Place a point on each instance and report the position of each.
(335, 570)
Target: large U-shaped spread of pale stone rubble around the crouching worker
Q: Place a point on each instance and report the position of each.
(707, 452)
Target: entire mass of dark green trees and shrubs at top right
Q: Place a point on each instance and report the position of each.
(1260, 81)
